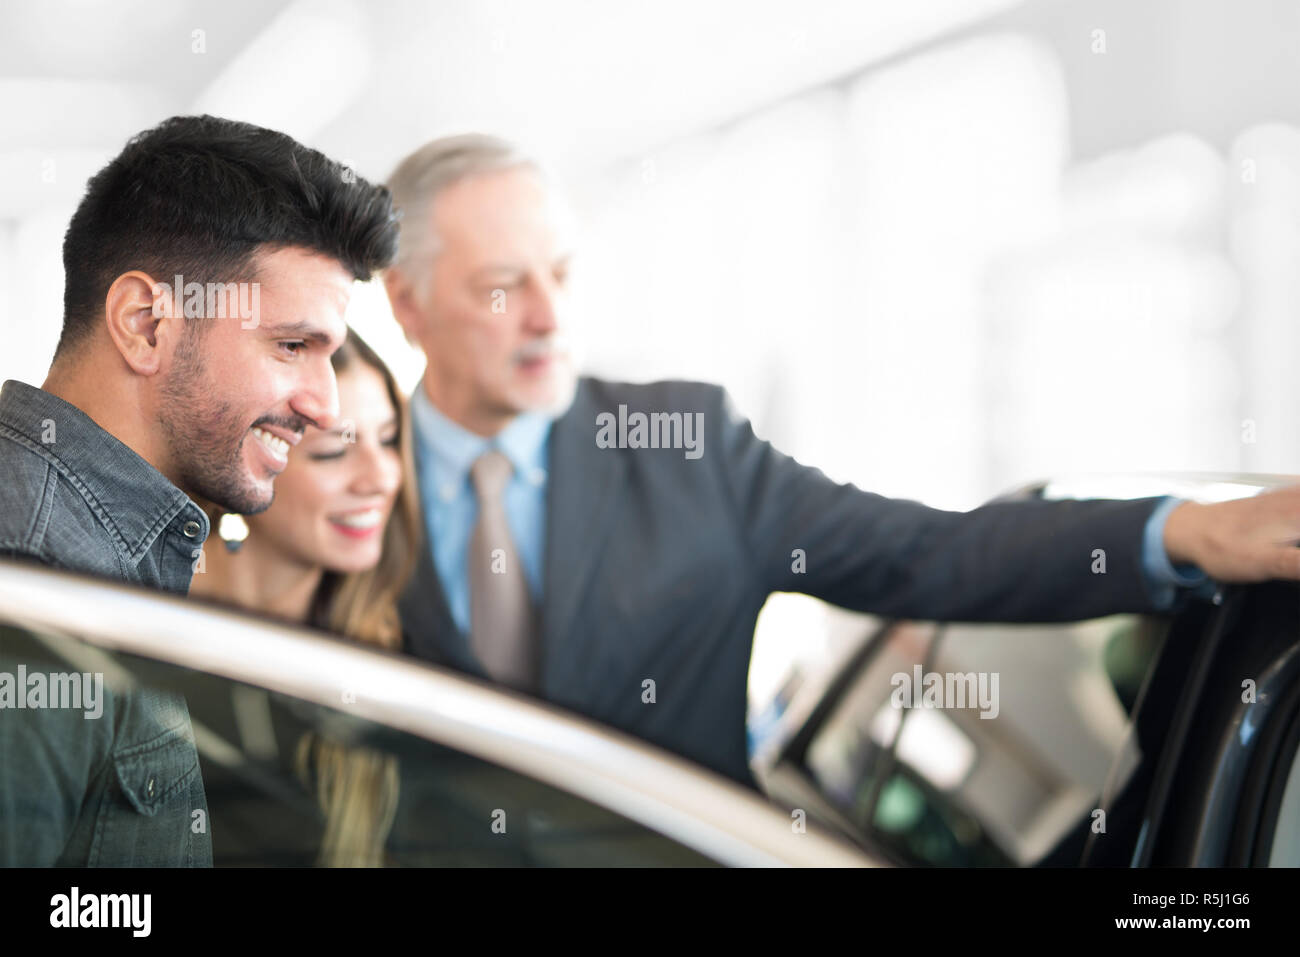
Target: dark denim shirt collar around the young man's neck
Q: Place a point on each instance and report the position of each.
(133, 500)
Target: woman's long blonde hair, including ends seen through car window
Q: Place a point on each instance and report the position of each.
(358, 787)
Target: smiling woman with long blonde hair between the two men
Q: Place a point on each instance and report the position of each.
(335, 552)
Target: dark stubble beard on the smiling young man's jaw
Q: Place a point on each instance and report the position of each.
(206, 439)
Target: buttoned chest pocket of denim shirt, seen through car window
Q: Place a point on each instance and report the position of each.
(148, 813)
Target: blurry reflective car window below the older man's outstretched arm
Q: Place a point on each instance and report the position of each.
(942, 785)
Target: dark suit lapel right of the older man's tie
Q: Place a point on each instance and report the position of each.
(583, 491)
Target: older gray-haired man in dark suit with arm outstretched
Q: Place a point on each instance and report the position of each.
(609, 547)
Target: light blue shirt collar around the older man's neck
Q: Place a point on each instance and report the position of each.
(450, 449)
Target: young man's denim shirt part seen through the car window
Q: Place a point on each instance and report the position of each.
(96, 772)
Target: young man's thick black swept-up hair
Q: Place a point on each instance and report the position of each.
(198, 197)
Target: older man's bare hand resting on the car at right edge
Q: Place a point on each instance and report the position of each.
(1243, 540)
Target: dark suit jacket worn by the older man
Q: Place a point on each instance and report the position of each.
(657, 568)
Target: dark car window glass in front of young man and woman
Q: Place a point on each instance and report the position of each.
(280, 782)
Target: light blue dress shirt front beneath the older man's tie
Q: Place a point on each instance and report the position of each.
(445, 453)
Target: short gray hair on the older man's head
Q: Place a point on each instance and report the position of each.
(431, 170)
